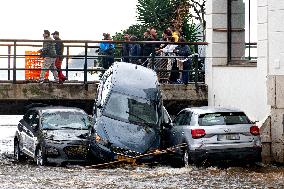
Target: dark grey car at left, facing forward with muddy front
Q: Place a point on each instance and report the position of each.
(53, 134)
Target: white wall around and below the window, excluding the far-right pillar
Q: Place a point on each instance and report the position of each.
(242, 87)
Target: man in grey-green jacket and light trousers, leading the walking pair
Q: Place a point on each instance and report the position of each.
(49, 55)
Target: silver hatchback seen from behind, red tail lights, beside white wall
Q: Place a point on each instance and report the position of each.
(214, 134)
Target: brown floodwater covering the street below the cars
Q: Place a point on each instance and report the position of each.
(28, 175)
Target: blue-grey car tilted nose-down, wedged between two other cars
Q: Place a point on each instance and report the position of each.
(128, 114)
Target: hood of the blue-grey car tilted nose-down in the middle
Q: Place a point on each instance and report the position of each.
(128, 136)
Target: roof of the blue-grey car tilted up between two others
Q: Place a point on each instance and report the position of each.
(134, 79)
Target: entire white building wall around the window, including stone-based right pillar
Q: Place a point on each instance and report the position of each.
(259, 90)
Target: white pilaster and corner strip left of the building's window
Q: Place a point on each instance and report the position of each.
(216, 36)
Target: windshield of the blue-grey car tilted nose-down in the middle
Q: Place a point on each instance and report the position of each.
(131, 109)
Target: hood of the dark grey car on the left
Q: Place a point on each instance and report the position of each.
(66, 134)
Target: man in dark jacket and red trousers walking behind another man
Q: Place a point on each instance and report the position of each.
(59, 48)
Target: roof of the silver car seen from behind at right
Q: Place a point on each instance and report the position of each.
(211, 109)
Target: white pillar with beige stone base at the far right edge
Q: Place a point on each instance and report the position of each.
(275, 83)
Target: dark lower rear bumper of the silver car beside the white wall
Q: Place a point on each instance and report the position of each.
(253, 154)
